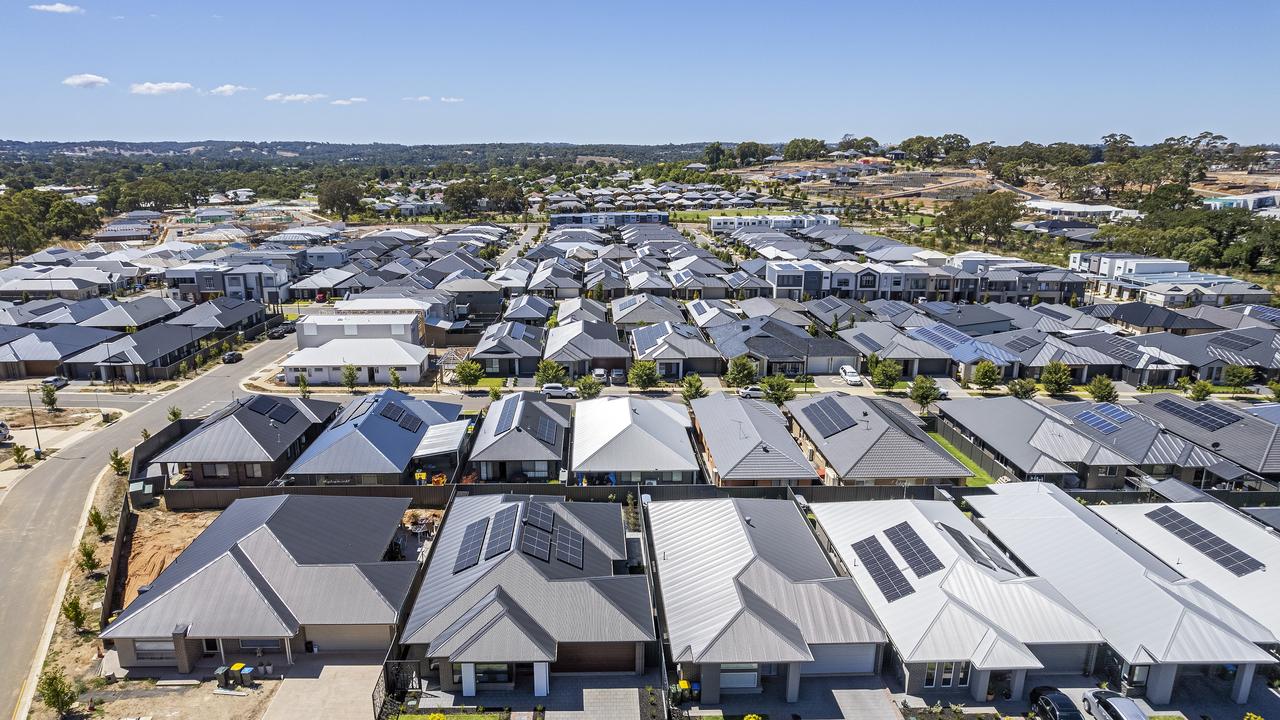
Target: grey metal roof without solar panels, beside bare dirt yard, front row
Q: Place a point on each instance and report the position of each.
(269, 566)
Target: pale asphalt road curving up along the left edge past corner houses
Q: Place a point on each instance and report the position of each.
(42, 516)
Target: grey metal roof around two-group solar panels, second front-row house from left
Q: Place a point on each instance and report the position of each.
(513, 607)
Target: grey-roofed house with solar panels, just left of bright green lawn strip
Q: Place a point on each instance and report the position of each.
(858, 441)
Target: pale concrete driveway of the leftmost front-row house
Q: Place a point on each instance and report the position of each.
(327, 686)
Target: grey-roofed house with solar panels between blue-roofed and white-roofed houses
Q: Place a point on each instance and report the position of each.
(523, 439)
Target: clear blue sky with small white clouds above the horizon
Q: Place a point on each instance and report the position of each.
(428, 72)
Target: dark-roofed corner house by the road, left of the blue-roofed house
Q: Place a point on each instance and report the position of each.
(250, 441)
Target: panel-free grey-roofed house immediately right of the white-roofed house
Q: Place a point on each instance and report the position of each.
(747, 443)
